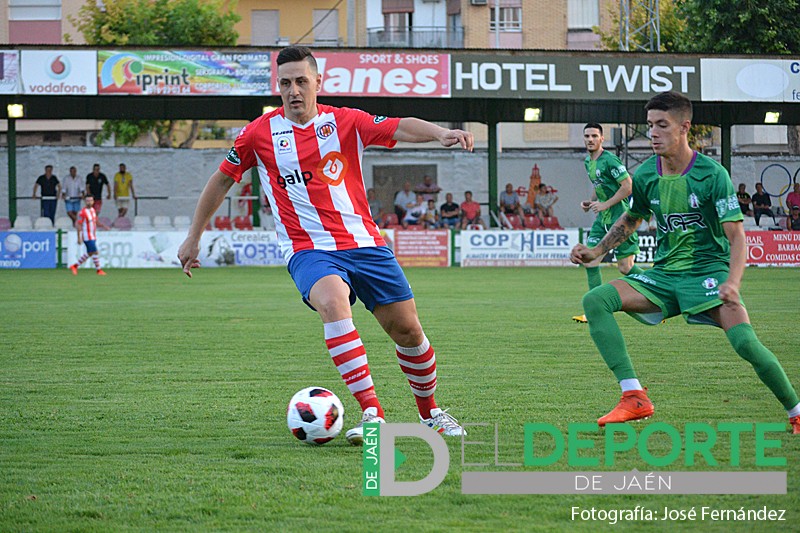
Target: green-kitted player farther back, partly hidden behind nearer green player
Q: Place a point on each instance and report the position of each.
(612, 187)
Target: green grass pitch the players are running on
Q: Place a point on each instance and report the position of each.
(146, 401)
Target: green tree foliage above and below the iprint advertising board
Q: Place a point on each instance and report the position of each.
(157, 23)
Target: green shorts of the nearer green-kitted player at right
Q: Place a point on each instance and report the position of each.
(676, 293)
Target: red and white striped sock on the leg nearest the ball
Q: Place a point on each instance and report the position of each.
(350, 358)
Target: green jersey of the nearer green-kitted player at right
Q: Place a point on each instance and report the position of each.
(689, 209)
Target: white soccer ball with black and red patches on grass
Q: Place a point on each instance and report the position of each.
(315, 415)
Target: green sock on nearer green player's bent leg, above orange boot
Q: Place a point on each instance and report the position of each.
(600, 304)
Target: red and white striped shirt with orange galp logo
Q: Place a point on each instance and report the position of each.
(312, 175)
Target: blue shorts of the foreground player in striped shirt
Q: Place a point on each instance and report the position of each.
(372, 274)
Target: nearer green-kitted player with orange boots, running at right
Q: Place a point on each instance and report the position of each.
(698, 266)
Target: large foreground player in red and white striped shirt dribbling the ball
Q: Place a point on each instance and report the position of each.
(309, 157)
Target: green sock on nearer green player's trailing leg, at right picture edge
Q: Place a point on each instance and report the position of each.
(746, 343)
